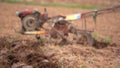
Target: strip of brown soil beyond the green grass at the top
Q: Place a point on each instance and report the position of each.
(90, 2)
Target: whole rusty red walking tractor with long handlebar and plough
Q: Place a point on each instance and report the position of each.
(58, 29)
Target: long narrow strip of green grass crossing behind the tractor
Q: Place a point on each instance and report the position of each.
(53, 4)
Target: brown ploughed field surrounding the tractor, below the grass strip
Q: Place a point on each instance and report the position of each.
(24, 51)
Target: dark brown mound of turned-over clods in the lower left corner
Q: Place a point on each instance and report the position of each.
(28, 55)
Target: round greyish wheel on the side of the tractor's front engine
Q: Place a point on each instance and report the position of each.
(30, 23)
